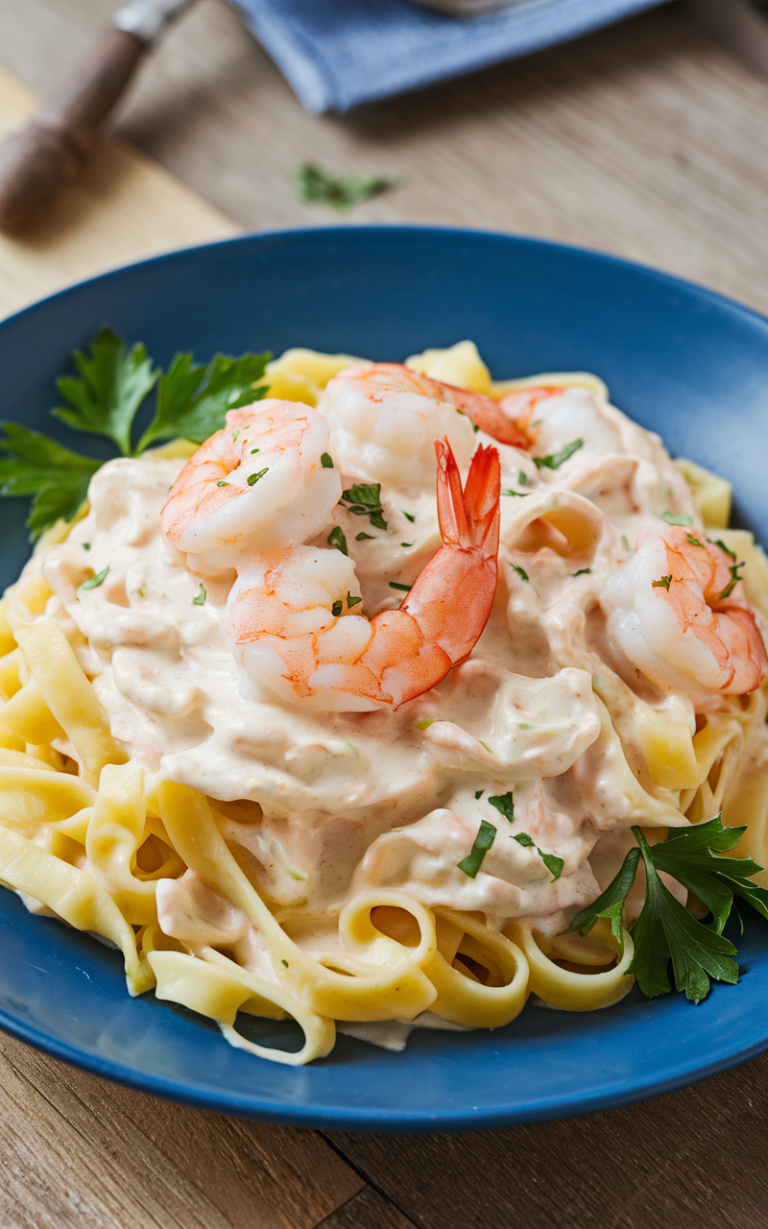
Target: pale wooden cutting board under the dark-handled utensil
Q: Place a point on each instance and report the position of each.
(123, 210)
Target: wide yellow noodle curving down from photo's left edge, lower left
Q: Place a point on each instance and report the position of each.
(74, 897)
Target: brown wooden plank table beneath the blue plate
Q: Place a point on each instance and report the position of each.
(647, 141)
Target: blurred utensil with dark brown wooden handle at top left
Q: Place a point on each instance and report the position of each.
(53, 149)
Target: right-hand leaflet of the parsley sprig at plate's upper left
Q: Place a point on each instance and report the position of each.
(194, 399)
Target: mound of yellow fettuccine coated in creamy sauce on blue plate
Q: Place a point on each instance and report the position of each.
(255, 858)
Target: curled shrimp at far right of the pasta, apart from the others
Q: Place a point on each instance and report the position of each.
(679, 611)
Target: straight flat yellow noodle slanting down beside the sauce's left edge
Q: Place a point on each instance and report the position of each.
(69, 695)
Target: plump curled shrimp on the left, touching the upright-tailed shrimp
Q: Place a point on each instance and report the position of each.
(256, 486)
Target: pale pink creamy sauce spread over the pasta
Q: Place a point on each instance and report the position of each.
(353, 801)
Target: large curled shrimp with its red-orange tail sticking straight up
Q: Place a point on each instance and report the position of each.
(292, 614)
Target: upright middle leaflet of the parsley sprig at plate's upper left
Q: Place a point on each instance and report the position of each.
(112, 385)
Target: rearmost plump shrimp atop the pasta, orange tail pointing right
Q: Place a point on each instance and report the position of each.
(385, 417)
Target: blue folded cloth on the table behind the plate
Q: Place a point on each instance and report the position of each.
(340, 53)
